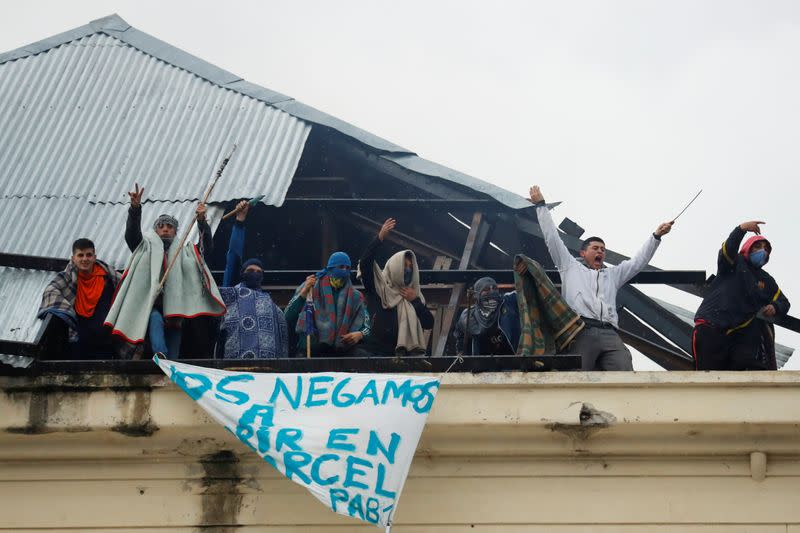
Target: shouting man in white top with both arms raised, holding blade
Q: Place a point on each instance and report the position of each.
(590, 288)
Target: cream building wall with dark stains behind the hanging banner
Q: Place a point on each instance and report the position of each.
(505, 452)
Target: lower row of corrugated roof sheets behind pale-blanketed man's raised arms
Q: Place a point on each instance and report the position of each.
(48, 226)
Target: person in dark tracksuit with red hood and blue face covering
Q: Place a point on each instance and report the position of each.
(733, 325)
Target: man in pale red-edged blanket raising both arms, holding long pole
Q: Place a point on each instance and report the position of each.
(139, 309)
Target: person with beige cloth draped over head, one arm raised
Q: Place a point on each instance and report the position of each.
(394, 299)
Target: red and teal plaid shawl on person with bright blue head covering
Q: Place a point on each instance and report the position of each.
(334, 319)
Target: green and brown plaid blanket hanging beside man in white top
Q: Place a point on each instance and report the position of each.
(548, 324)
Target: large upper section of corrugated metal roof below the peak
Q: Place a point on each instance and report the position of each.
(90, 117)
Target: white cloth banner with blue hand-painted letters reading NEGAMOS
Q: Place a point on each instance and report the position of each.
(348, 438)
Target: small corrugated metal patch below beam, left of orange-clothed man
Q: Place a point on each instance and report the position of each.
(20, 296)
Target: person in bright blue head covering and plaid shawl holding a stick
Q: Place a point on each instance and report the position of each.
(340, 319)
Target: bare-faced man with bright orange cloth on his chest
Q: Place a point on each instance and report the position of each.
(79, 299)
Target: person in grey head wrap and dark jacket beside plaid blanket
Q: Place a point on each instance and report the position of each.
(491, 325)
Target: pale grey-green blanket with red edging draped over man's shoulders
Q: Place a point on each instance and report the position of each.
(189, 292)
